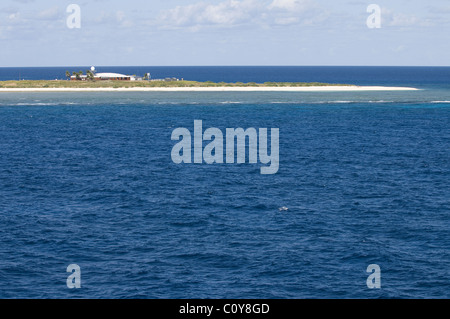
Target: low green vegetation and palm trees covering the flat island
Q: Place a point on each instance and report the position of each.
(35, 84)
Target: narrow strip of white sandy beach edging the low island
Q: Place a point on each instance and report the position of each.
(217, 89)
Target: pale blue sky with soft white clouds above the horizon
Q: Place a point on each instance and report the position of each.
(224, 32)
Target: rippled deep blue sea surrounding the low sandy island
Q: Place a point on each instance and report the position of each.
(88, 179)
